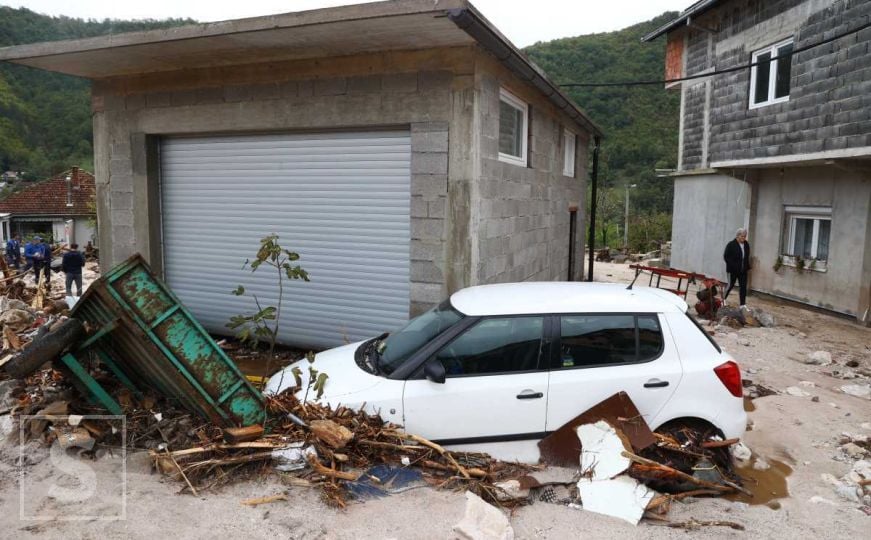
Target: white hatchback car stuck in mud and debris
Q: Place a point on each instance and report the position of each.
(509, 363)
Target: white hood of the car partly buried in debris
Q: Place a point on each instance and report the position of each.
(345, 377)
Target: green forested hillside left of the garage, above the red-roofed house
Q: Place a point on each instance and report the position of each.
(45, 118)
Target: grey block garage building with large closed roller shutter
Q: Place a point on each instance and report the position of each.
(405, 149)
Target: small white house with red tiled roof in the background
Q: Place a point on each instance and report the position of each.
(62, 208)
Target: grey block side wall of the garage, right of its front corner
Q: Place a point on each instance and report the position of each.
(520, 222)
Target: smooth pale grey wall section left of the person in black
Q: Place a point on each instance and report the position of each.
(708, 209)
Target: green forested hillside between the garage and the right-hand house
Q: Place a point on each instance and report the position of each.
(640, 123)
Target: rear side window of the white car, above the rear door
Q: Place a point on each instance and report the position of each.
(607, 339)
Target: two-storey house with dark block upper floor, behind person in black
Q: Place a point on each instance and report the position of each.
(781, 145)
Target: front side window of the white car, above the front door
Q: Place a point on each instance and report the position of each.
(497, 345)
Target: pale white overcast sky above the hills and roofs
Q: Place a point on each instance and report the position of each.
(523, 21)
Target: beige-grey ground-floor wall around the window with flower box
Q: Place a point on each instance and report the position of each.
(844, 285)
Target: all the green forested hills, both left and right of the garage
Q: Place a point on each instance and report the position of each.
(45, 119)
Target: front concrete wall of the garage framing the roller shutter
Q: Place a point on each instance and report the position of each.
(430, 91)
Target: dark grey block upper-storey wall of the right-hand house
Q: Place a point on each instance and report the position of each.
(830, 90)
